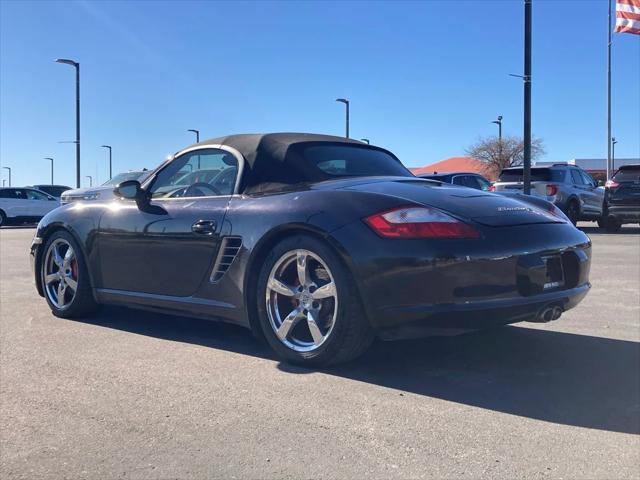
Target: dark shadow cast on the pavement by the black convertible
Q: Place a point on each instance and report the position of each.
(557, 377)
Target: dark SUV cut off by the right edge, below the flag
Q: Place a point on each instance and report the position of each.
(622, 198)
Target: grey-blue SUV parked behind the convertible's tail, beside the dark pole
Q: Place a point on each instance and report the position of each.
(570, 188)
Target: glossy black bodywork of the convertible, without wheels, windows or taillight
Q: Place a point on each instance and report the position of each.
(152, 256)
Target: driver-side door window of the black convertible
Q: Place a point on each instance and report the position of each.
(201, 173)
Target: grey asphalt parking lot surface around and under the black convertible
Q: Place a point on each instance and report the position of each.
(140, 395)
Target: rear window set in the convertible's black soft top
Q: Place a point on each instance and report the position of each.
(353, 161)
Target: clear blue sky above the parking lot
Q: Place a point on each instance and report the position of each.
(425, 79)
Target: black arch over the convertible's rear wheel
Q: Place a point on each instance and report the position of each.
(262, 249)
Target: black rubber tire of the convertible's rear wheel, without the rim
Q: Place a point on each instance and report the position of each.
(351, 334)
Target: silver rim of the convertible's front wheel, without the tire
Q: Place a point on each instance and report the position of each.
(60, 273)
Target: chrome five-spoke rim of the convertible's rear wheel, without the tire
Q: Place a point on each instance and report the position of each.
(302, 300)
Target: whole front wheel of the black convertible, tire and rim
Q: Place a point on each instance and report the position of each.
(64, 277)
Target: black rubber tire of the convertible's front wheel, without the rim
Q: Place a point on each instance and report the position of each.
(82, 304)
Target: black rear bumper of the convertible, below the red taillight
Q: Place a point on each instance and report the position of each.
(468, 284)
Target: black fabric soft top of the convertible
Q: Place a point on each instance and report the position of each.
(271, 159)
